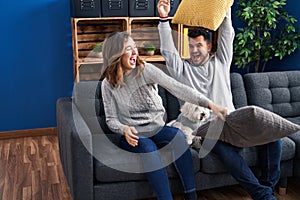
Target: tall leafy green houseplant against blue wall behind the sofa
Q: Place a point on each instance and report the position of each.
(269, 32)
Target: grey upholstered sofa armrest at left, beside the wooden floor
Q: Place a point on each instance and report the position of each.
(75, 139)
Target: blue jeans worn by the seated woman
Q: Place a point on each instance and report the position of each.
(158, 178)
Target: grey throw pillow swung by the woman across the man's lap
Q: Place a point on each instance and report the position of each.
(248, 126)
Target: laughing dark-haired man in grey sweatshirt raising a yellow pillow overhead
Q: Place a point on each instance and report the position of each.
(210, 74)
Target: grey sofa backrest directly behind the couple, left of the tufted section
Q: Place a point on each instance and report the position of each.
(88, 100)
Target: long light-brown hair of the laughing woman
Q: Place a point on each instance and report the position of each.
(112, 50)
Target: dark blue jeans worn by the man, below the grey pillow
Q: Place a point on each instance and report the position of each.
(269, 159)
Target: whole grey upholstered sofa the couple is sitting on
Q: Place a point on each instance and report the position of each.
(89, 151)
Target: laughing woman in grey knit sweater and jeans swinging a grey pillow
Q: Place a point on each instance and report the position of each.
(134, 109)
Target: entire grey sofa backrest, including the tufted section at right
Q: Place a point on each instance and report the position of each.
(276, 91)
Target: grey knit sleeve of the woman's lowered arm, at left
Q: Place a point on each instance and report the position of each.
(110, 109)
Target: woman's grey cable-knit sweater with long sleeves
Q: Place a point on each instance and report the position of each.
(138, 104)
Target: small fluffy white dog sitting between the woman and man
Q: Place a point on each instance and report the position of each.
(189, 120)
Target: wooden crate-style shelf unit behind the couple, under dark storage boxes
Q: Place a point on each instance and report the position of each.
(87, 32)
